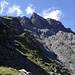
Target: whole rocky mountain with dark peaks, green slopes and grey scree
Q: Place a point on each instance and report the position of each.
(37, 45)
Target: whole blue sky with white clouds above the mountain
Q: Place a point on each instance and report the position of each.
(61, 10)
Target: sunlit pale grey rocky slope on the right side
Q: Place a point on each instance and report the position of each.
(62, 44)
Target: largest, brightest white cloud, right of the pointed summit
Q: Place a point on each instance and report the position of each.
(51, 13)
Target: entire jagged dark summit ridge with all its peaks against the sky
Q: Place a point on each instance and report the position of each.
(38, 24)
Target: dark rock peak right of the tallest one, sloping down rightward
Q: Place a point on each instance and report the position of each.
(58, 26)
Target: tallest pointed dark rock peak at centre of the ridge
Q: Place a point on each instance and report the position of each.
(39, 21)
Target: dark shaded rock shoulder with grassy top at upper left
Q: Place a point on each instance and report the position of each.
(13, 23)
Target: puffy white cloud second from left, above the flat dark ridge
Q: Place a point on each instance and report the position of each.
(15, 9)
